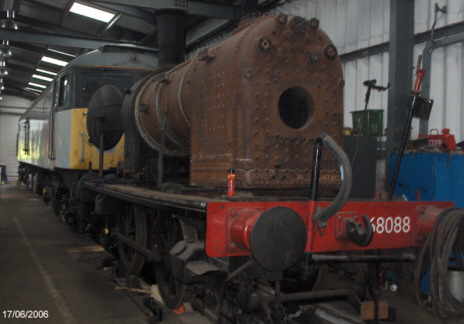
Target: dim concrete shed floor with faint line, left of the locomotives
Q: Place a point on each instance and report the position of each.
(47, 266)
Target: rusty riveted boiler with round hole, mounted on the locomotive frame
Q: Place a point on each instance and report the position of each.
(253, 102)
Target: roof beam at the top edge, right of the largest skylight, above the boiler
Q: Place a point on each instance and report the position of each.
(214, 10)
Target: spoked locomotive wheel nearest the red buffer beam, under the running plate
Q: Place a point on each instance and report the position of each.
(166, 234)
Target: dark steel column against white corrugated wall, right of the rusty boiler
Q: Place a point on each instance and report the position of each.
(400, 73)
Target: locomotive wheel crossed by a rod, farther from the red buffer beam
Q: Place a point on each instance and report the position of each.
(132, 224)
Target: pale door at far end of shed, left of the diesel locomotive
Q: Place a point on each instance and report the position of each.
(8, 130)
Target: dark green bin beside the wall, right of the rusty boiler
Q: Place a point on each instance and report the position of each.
(373, 122)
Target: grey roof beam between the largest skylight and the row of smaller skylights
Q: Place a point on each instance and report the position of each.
(61, 40)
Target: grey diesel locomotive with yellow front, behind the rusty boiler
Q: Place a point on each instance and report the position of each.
(53, 149)
